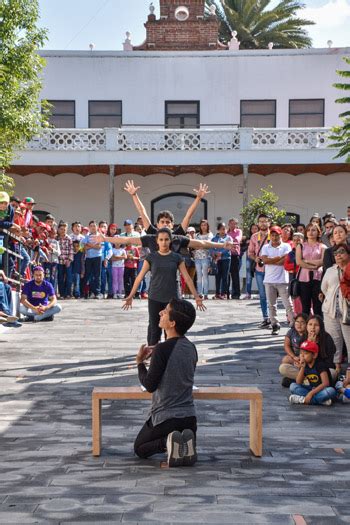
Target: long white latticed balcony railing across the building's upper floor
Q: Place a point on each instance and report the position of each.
(162, 139)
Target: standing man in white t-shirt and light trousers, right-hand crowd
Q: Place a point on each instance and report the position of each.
(276, 277)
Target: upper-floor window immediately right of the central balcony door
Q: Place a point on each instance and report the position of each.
(258, 113)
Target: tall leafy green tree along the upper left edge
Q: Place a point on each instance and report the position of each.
(20, 79)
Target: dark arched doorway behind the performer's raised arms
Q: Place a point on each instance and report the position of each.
(178, 204)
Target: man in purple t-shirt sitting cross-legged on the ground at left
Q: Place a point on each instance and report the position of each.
(38, 299)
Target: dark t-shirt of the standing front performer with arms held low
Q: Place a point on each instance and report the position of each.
(163, 286)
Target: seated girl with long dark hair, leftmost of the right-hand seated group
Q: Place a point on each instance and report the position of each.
(290, 365)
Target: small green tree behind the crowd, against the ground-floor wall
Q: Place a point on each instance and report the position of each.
(265, 202)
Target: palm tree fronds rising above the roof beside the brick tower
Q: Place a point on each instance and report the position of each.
(258, 24)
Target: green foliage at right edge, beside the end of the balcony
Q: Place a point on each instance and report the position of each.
(341, 134)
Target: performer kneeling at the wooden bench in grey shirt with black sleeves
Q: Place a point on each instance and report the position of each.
(172, 422)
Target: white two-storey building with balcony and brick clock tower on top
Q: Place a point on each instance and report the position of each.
(171, 116)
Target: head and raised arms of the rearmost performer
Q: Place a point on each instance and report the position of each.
(165, 218)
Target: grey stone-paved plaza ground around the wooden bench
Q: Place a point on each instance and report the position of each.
(48, 474)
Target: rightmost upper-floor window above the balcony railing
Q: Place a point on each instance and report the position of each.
(308, 113)
